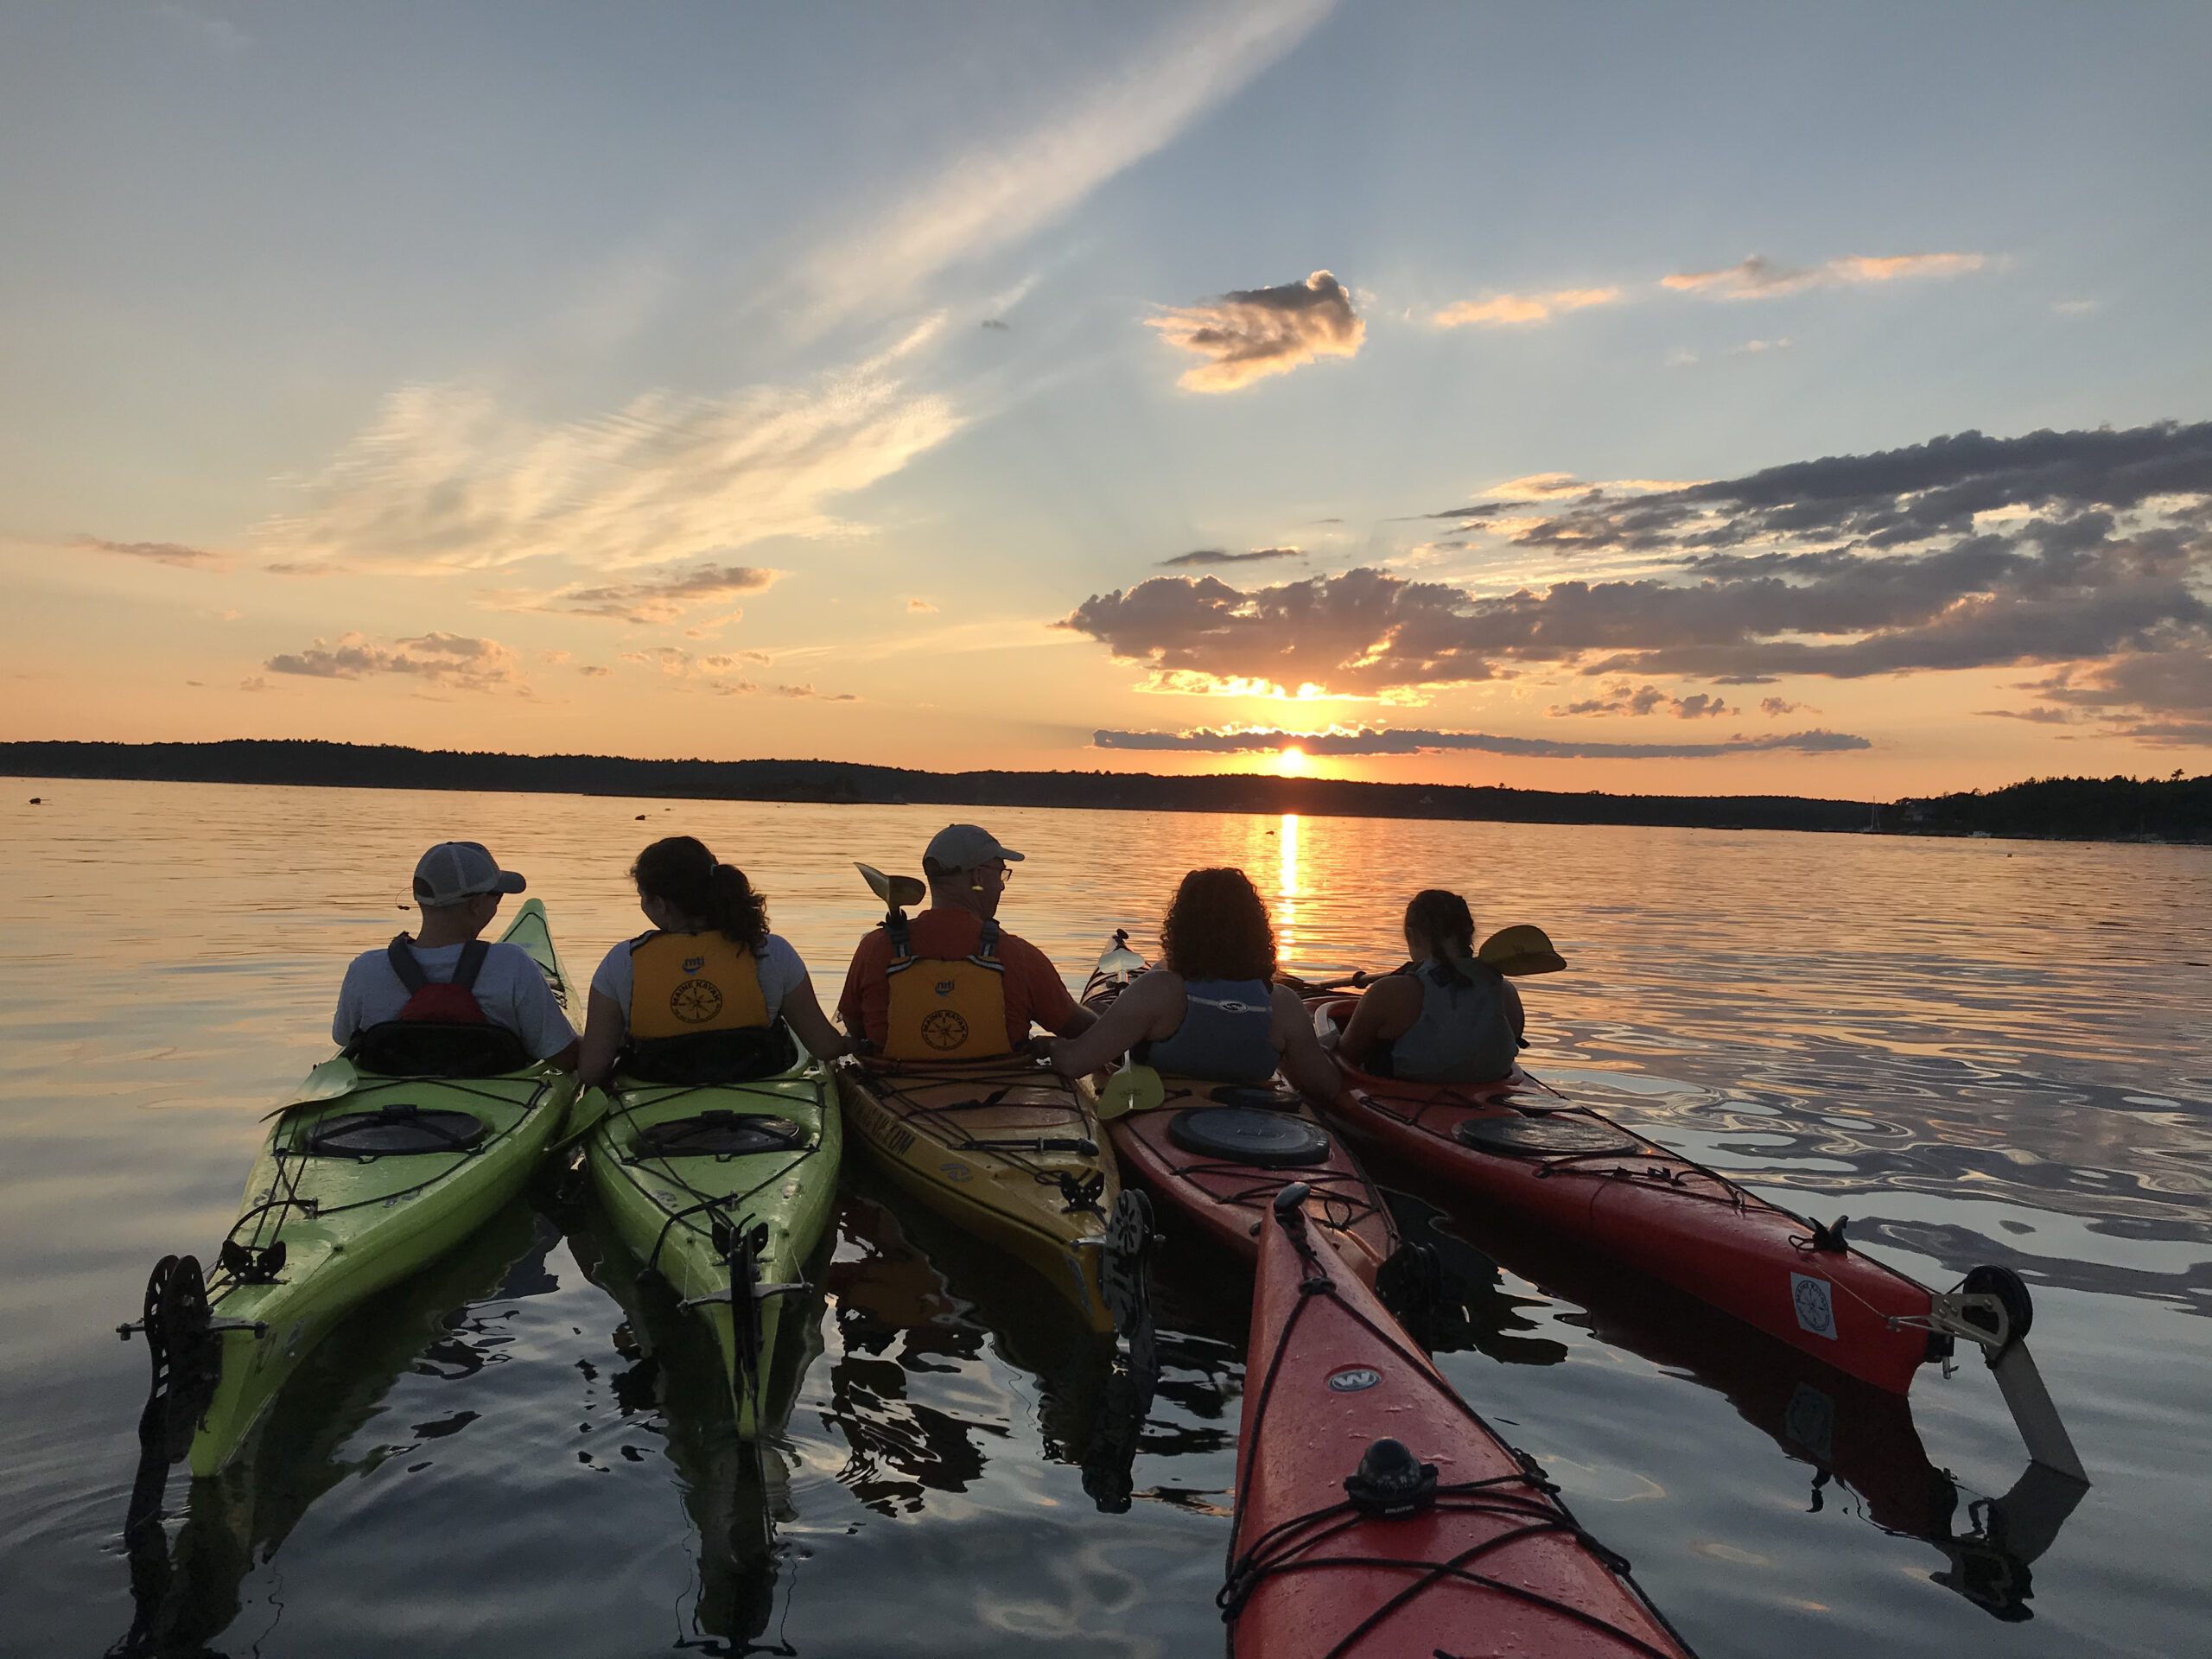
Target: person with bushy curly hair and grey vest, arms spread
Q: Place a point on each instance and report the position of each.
(1211, 1010)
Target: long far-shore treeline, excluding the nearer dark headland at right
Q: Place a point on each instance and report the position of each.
(848, 784)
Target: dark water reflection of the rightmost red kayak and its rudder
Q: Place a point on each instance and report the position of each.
(1848, 1432)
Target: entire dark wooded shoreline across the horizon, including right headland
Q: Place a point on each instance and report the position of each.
(2047, 808)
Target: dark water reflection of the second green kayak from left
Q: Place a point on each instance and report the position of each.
(733, 1477)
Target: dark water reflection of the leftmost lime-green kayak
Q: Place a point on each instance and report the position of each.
(185, 1589)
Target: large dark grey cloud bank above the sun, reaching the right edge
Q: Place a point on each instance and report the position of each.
(1846, 567)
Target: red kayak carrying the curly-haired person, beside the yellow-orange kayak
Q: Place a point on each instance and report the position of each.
(1218, 1154)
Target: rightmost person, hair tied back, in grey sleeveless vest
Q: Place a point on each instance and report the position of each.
(1448, 1016)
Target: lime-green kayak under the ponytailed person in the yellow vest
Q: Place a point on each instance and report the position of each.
(724, 1191)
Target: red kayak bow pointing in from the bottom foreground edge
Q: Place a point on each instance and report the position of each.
(1441, 1541)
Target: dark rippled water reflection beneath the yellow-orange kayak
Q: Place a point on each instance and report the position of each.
(917, 1297)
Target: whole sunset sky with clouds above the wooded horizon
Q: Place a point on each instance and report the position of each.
(1609, 397)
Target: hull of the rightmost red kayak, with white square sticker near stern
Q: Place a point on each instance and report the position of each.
(1665, 1215)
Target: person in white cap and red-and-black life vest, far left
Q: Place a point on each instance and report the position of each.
(446, 974)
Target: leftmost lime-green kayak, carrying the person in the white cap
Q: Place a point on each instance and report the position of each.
(364, 1180)
